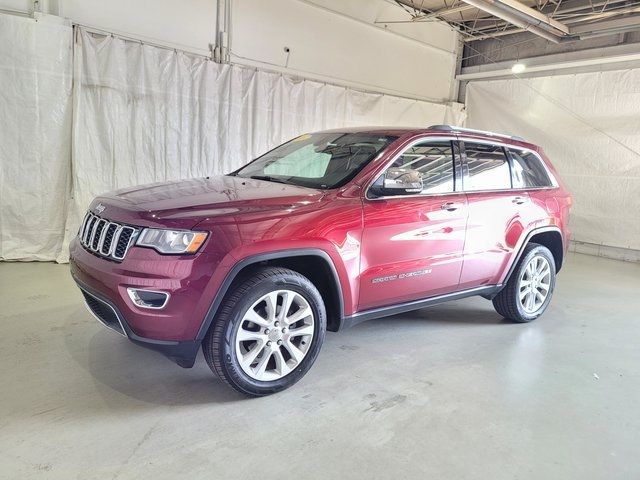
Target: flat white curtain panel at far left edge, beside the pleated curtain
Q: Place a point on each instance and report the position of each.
(35, 136)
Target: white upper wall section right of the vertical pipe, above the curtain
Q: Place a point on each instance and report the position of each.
(334, 47)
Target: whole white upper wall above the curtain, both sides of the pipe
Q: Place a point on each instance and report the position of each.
(335, 41)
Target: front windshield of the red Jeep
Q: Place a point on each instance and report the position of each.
(319, 160)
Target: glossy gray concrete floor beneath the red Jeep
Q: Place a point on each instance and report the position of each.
(447, 392)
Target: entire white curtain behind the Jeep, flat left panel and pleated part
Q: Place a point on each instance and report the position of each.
(142, 114)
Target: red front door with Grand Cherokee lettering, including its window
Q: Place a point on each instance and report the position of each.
(412, 245)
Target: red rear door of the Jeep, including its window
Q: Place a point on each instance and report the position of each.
(498, 214)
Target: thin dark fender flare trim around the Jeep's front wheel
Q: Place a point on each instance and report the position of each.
(262, 257)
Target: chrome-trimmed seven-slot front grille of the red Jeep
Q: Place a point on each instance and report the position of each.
(106, 238)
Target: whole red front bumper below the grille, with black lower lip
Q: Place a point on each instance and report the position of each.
(172, 330)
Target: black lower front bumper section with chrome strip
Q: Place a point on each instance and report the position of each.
(106, 312)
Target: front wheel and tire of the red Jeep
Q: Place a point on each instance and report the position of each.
(284, 351)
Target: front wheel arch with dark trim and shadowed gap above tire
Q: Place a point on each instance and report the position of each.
(313, 263)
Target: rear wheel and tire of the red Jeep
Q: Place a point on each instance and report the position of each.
(508, 301)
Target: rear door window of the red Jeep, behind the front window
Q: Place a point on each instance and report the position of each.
(488, 167)
